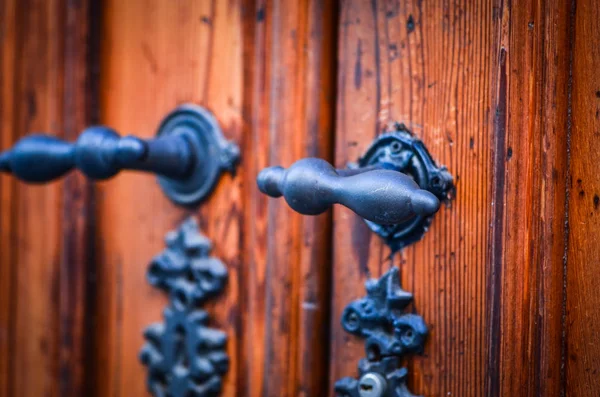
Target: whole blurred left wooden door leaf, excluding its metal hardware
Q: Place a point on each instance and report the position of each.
(74, 308)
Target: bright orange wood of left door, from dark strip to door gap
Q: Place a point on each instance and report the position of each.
(271, 89)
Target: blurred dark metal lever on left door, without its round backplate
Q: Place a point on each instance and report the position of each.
(99, 153)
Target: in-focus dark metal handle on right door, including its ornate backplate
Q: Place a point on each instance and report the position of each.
(395, 186)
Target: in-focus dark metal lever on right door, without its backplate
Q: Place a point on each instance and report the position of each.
(311, 186)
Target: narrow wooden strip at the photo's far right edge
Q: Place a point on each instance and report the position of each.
(582, 310)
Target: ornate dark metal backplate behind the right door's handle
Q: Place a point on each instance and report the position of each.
(401, 151)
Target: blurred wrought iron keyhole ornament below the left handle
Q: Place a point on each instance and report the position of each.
(184, 355)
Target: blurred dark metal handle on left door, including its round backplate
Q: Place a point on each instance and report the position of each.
(188, 154)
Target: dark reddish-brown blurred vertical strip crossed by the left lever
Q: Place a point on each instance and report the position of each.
(75, 361)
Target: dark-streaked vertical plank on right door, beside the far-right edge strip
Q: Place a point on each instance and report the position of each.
(530, 165)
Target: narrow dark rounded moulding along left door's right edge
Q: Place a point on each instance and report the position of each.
(317, 123)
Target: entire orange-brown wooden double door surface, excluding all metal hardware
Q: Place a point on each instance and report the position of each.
(505, 94)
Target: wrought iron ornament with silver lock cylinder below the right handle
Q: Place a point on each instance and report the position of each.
(389, 335)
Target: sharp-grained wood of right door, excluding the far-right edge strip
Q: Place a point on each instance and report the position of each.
(484, 85)
